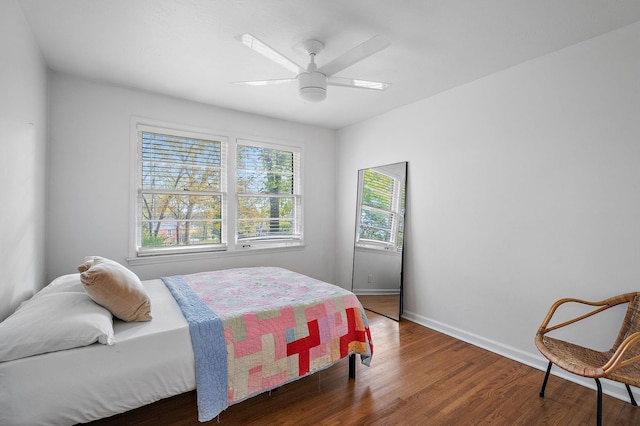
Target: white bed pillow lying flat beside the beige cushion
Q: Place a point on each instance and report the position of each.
(58, 317)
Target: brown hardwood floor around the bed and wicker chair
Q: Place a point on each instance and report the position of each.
(417, 377)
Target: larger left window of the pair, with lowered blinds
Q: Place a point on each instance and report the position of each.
(181, 192)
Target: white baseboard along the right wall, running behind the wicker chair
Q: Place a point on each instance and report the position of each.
(614, 389)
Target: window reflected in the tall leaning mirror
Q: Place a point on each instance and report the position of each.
(381, 210)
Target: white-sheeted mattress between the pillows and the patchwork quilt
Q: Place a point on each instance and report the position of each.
(150, 361)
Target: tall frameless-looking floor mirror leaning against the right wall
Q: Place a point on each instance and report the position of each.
(379, 238)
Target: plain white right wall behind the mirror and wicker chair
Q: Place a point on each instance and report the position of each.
(523, 187)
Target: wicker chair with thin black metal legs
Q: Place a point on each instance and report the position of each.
(621, 363)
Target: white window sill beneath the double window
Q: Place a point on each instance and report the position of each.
(183, 257)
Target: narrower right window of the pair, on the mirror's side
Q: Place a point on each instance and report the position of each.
(268, 193)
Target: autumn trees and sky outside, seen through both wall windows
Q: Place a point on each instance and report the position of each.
(182, 191)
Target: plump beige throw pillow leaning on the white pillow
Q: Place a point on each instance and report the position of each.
(116, 288)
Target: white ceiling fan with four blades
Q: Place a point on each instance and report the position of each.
(312, 80)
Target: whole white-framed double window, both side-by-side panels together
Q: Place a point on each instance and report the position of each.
(190, 196)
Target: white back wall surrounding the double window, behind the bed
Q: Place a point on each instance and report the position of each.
(90, 177)
